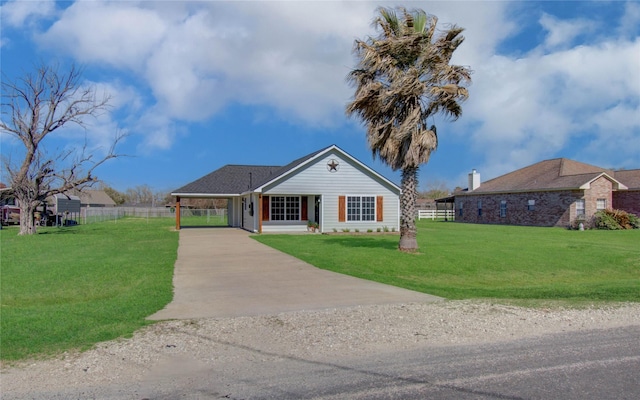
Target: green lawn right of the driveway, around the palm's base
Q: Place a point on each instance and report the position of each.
(461, 261)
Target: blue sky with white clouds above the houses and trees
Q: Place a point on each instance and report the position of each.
(197, 85)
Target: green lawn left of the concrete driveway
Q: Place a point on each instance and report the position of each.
(69, 288)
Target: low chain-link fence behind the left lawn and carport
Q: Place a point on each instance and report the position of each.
(99, 214)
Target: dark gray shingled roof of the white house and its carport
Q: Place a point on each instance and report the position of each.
(237, 179)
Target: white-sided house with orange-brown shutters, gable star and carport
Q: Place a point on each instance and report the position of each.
(328, 187)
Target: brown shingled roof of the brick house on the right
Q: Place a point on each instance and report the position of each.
(559, 173)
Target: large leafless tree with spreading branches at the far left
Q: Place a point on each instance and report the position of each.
(34, 106)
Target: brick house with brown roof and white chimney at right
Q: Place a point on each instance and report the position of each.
(553, 192)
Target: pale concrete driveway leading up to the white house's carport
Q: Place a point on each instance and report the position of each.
(221, 272)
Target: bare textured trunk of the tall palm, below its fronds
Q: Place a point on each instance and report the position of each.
(409, 183)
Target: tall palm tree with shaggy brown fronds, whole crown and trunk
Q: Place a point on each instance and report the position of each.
(403, 77)
